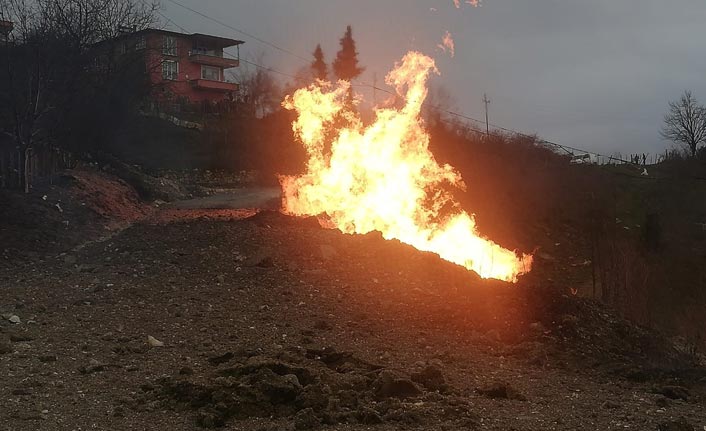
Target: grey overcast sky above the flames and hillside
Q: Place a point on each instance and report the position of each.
(590, 74)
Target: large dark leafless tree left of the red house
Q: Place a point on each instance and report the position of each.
(49, 66)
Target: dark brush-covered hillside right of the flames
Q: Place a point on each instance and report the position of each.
(644, 237)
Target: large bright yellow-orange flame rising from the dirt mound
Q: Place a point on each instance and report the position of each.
(383, 177)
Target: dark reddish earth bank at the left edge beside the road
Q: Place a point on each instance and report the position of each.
(80, 204)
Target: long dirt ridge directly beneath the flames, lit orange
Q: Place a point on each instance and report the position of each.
(521, 314)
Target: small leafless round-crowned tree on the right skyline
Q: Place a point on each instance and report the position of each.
(685, 123)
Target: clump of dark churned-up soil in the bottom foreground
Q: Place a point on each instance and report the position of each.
(312, 388)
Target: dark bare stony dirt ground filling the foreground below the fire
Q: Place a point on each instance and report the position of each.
(268, 323)
